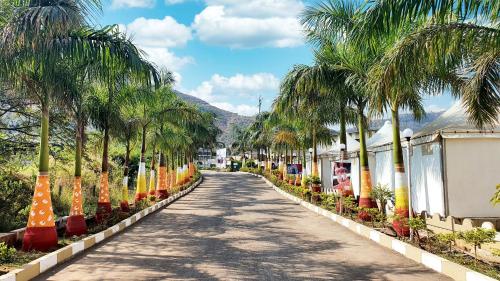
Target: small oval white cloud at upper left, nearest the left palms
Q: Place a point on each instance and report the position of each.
(166, 32)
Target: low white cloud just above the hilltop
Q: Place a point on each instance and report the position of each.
(228, 92)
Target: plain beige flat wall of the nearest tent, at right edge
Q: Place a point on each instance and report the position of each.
(472, 172)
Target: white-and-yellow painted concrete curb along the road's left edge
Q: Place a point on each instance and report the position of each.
(42, 264)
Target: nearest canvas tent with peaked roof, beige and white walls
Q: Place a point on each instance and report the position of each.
(455, 166)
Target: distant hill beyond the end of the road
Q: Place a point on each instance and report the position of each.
(225, 119)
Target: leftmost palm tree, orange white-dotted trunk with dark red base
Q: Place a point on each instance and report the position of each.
(40, 36)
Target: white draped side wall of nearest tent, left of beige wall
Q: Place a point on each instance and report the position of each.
(426, 179)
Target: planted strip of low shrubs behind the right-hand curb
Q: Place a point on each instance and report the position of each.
(459, 247)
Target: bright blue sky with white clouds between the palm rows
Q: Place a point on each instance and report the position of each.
(226, 52)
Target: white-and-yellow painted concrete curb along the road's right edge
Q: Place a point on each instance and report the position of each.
(439, 264)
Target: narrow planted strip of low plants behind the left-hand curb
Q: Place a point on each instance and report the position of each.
(13, 257)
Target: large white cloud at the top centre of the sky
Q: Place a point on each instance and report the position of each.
(254, 23)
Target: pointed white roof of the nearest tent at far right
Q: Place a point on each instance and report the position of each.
(454, 123)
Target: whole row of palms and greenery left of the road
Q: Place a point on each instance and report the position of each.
(96, 112)
